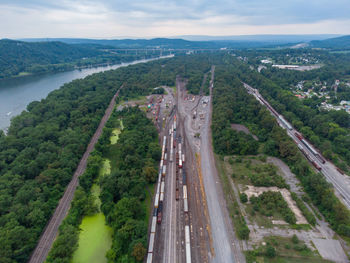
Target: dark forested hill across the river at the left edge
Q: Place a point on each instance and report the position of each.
(17, 57)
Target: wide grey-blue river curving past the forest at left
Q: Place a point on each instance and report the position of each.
(17, 93)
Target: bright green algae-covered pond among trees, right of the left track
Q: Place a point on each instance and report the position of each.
(95, 237)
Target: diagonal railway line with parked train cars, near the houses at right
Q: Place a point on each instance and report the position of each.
(333, 175)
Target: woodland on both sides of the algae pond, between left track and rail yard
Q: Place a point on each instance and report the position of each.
(134, 162)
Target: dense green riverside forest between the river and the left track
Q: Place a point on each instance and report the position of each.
(44, 145)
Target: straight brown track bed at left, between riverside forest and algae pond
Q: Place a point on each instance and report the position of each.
(48, 236)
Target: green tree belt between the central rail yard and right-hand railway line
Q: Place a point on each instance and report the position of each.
(231, 103)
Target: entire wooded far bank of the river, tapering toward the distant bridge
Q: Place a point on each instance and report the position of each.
(19, 58)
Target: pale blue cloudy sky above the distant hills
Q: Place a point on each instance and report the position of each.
(165, 18)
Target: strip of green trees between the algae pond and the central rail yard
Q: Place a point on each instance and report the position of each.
(134, 161)
